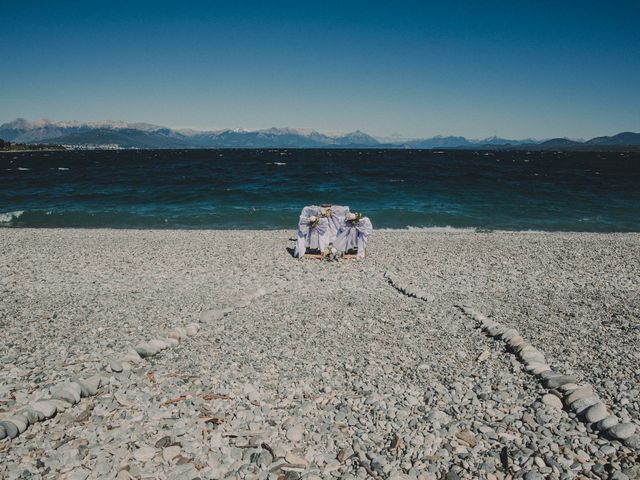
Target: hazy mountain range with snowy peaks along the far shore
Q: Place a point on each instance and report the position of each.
(144, 135)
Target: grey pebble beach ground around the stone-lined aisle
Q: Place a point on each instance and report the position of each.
(334, 374)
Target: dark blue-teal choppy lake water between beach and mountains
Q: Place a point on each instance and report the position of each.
(265, 189)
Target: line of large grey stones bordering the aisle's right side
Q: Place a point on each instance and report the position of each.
(581, 399)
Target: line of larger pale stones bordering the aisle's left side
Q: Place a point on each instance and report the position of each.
(69, 393)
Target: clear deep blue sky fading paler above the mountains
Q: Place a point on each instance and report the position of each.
(473, 68)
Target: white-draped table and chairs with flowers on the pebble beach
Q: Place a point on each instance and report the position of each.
(332, 232)
